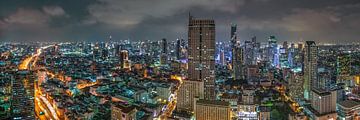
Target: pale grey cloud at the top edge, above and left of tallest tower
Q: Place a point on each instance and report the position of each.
(128, 13)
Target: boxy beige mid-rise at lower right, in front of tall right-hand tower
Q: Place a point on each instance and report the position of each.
(323, 105)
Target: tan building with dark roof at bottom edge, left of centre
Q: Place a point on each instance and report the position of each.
(121, 111)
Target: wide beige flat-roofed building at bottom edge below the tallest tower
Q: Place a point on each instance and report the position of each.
(212, 110)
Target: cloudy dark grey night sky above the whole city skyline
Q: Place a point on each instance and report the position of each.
(324, 21)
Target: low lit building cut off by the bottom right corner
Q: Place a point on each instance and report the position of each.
(348, 110)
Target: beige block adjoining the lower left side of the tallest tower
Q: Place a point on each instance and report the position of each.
(188, 91)
